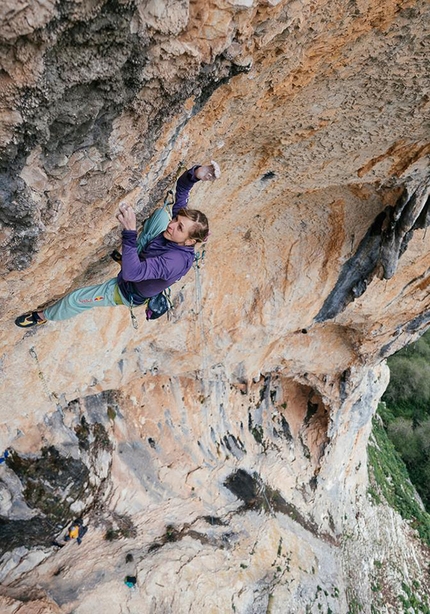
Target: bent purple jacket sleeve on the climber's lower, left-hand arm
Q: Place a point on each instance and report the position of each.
(134, 269)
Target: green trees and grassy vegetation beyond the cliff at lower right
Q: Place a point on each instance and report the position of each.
(399, 455)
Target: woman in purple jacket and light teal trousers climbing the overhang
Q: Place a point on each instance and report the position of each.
(150, 263)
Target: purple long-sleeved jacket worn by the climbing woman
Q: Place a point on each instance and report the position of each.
(162, 262)
